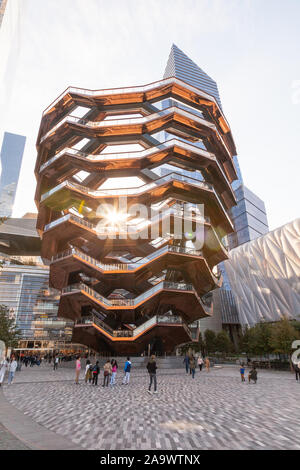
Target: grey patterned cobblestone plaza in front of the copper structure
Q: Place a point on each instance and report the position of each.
(213, 411)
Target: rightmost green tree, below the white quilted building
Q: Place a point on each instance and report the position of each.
(282, 336)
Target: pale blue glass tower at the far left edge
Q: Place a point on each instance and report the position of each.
(11, 159)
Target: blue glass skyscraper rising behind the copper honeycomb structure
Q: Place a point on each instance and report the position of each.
(248, 216)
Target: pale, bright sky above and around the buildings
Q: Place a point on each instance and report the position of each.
(250, 47)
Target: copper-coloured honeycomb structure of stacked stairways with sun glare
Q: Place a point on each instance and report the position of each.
(125, 291)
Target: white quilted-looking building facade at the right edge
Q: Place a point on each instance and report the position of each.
(265, 276)
